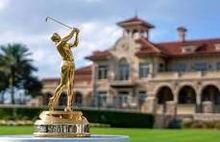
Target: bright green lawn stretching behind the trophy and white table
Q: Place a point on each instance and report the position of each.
(140, 135)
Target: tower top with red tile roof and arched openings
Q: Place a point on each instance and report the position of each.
(135, 27)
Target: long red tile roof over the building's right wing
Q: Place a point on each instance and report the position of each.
(174, 49)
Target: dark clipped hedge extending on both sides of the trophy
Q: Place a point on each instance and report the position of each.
(113, 118)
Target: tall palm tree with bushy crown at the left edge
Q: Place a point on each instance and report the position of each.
(16, 65)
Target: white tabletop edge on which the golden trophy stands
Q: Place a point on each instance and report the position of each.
(92, 138)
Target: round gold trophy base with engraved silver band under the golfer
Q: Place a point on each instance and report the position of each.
(61, 124)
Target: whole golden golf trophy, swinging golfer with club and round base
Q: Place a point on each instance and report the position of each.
(66, 123)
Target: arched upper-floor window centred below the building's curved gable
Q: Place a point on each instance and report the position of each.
(123, 70)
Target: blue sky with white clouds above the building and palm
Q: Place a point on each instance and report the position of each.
(23, 21)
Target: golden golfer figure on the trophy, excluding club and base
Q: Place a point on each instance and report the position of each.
(67, 70)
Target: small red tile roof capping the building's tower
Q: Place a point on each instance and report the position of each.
(135, 21)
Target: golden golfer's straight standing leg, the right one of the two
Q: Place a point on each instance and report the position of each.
(70, 83)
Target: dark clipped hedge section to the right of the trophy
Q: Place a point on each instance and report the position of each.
(120, 119)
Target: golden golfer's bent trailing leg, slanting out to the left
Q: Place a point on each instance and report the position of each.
(54, 99)
